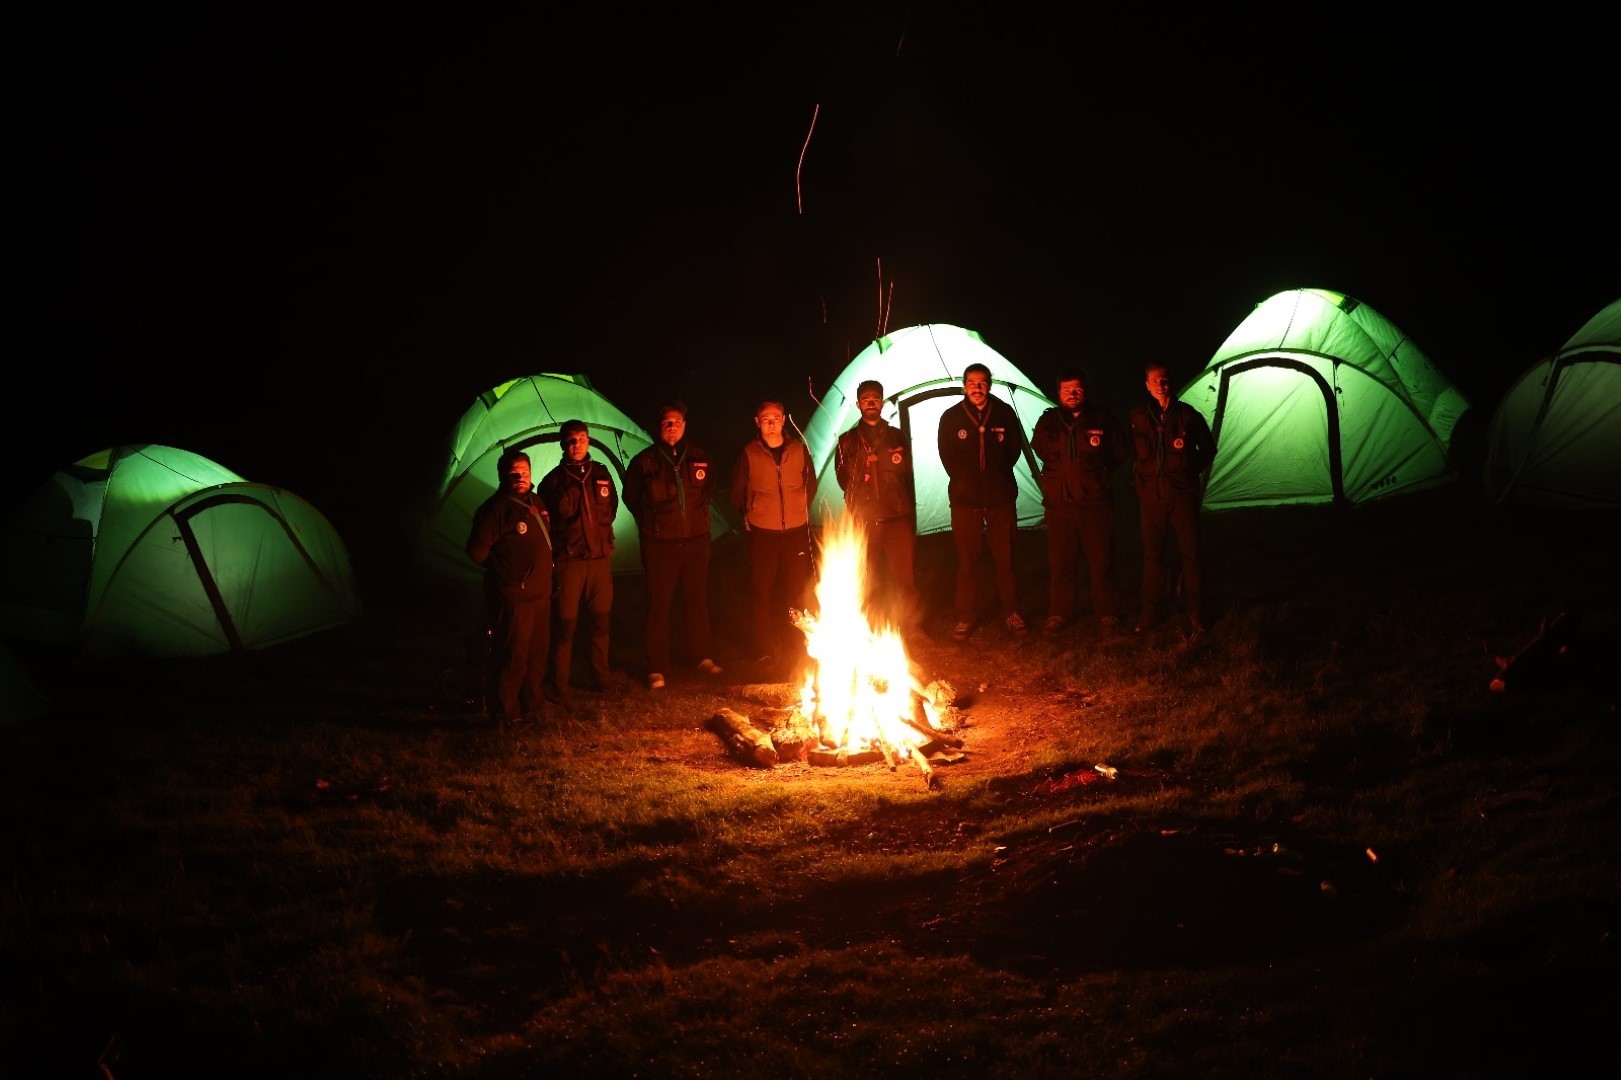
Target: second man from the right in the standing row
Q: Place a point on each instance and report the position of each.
(1080, 447)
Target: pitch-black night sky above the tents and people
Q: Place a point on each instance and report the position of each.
(302, 242)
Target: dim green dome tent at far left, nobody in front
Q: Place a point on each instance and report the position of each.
(153, 551)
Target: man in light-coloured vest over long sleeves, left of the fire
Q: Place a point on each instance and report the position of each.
(772, 486)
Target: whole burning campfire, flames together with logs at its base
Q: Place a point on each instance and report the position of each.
(862, 700)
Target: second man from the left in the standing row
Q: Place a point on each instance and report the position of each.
(583, 502)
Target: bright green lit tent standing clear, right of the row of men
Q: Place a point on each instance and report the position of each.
(1317, 398)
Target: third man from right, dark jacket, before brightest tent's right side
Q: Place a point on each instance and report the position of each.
(982, 440)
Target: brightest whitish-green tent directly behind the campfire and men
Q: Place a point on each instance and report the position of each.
(922, 371)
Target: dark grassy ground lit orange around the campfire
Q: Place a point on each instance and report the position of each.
(1327, 851)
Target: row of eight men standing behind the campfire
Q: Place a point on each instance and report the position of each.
(547, 547)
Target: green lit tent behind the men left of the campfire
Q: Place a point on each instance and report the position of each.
(526, 414)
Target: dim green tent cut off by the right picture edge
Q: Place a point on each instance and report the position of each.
(1555, 439)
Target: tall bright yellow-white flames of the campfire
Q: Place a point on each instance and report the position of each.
(862, 690)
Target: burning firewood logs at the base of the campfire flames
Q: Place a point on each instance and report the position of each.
(781, 735)
